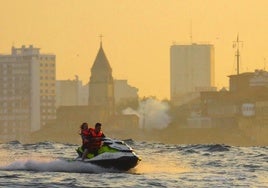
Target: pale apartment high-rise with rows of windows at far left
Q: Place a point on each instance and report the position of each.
(27, 92)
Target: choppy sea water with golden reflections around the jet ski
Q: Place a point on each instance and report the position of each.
(47, 164)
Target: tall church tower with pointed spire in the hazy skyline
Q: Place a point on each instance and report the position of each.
(101, 84)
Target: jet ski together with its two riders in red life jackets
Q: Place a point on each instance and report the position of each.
(105, 152)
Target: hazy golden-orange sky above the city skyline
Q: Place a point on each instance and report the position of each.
(137, 35)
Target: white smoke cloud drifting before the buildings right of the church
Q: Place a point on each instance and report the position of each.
(153, 114)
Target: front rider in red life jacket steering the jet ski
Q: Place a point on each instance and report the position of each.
(95, 139)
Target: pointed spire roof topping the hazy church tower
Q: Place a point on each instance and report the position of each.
(101, 62)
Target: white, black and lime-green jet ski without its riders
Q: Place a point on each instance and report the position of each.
(112, 154)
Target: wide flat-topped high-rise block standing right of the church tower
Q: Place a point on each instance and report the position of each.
(191, 70)
